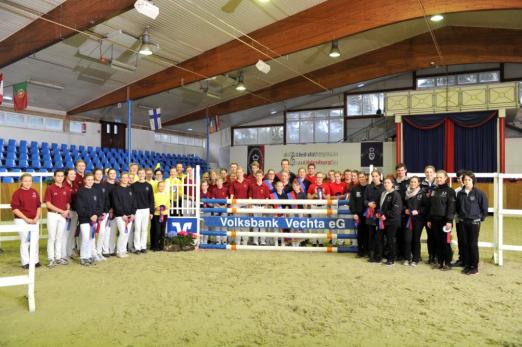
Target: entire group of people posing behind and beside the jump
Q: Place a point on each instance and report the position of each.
(95, 215)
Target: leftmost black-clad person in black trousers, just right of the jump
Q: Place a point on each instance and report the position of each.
(356, 204)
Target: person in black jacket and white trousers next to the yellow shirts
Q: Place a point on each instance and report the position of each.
(144, 197)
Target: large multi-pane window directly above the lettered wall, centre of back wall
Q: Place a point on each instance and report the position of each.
(315, 126)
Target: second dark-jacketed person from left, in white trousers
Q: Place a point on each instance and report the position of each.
(102, 187)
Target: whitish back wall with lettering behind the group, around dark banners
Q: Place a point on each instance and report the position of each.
(338, 156)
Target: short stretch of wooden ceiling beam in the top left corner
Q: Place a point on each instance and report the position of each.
(39, 34)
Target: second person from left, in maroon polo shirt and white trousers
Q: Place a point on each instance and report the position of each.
(58, 202)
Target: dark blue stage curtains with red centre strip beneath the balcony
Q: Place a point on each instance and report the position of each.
(453, 141)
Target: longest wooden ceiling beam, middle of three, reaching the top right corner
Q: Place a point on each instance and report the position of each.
(329, 20)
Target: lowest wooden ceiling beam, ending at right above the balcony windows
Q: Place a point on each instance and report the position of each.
(459, 45)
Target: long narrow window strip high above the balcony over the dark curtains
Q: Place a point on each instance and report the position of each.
(458, 79)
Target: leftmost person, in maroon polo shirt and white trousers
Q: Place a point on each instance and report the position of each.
(25, 204)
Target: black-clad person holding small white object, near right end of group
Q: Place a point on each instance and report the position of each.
(440, 218)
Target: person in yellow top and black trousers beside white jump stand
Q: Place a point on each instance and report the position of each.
(159, 220)
